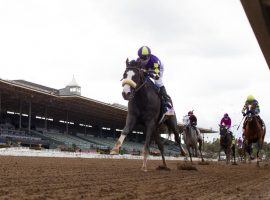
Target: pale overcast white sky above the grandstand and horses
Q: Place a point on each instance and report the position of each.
(211, 57)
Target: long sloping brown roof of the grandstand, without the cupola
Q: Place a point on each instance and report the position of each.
(80, 109)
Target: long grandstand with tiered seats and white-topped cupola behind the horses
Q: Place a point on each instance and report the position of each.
(34, 114)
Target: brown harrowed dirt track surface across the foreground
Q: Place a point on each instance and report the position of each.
(74, 178)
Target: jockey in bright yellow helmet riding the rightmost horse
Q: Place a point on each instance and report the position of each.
(252, 106)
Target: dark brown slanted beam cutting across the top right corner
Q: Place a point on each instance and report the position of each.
(258, 13)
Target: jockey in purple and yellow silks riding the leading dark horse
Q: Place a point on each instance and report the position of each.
(155, 68)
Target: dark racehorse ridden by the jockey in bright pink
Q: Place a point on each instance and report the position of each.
(225, 142)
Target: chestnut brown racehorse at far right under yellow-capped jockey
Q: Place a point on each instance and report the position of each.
(253, 133)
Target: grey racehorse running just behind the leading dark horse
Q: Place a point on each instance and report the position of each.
(191, 139)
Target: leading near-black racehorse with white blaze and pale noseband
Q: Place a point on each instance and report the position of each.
(145, 108)
